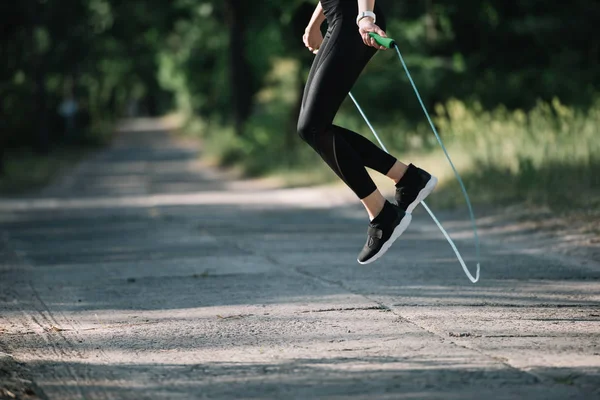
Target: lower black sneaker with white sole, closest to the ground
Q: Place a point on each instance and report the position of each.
(383, 232)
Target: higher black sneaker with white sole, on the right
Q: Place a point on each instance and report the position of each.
(413, 188)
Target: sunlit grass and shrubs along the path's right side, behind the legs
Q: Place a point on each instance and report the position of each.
(548, 156)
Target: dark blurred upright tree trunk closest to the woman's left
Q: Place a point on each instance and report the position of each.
(239, 67)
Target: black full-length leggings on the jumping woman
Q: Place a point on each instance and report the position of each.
(338, 64)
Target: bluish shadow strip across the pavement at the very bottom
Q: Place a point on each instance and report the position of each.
(348, 378)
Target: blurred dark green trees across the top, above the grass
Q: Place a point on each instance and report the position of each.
(210, 58)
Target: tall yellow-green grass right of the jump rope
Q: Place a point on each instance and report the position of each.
(549, 156)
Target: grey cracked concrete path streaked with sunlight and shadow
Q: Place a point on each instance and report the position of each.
(144, 276)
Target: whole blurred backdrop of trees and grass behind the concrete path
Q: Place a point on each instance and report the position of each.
(512, 86)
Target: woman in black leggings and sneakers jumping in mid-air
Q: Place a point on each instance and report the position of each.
(341, 57)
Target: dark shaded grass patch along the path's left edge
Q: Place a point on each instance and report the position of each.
(26, 171)
